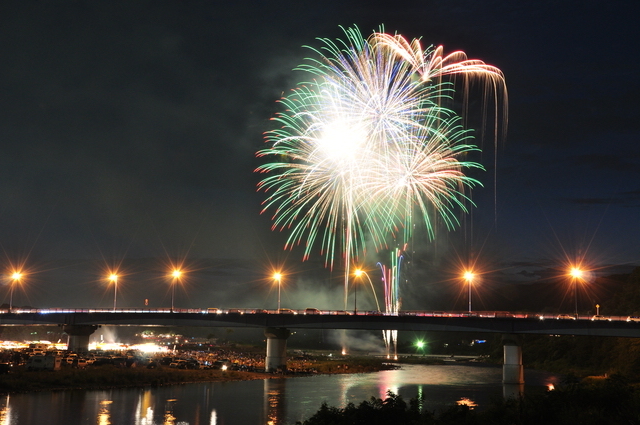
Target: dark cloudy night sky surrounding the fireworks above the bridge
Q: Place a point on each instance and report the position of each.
(129, 131)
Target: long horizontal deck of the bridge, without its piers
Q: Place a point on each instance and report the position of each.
(493, 322)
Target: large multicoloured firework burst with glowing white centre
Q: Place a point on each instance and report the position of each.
(365, 145)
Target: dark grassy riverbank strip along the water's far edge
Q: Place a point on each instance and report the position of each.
(110, 376)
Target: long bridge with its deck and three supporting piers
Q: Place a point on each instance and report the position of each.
(79, 324)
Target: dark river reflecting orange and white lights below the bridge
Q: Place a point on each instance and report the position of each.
(269, 401)
